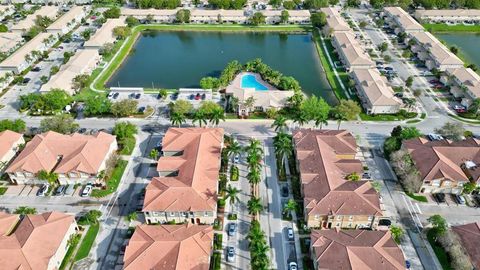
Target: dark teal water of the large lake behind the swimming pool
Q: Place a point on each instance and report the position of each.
(180, 59)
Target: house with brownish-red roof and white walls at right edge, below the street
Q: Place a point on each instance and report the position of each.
(445, 166)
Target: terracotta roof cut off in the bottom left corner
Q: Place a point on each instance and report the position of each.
(35, 241)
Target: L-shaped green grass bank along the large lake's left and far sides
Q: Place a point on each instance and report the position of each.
(130, 41)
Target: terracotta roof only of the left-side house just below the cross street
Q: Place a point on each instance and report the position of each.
(77, 153)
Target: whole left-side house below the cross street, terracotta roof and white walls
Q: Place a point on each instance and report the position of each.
(75, 158)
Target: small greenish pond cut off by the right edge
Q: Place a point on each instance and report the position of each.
(469, 44)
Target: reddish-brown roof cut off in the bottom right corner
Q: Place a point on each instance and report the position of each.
(470, 237)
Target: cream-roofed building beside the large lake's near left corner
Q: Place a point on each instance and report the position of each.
(82, 63)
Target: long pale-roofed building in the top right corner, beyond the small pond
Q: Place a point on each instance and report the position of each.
(448, 15)
